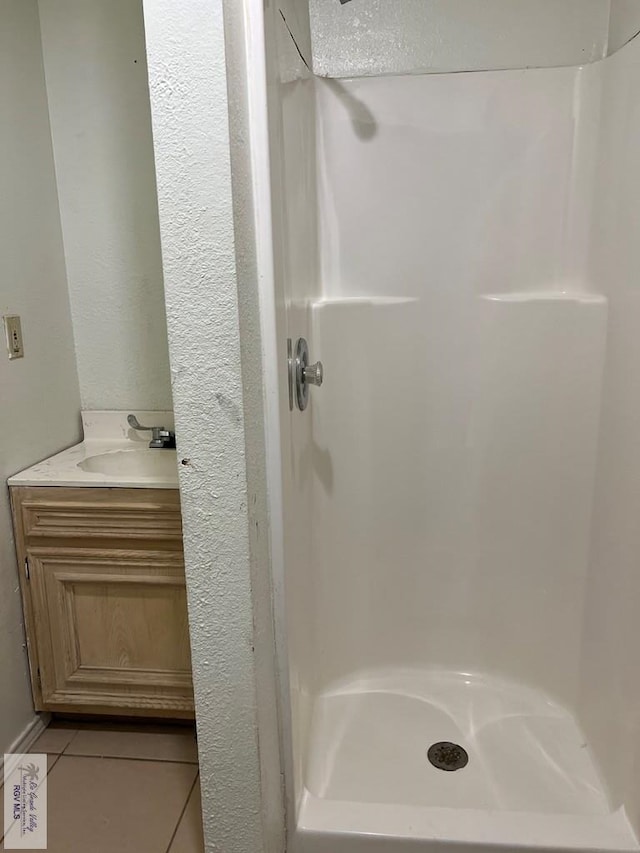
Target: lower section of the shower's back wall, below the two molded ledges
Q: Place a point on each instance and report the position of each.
(451, 530)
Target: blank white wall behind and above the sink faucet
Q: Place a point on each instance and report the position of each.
(95, 63)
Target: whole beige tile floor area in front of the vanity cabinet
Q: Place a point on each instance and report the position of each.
(121, 788)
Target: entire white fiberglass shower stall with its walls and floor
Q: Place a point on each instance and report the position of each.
(458, 573)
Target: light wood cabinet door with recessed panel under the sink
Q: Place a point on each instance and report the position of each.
(111, 629)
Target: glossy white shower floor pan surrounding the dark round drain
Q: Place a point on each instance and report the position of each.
(529, 783)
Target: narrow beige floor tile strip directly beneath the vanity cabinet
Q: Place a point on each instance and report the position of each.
(175, 746)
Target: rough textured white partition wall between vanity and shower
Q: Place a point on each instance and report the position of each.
(210, 298)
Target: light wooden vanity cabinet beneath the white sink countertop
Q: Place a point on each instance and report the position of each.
(103, 589)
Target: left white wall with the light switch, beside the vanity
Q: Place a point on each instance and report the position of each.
(39, 410)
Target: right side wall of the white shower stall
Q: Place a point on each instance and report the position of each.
(610, 697)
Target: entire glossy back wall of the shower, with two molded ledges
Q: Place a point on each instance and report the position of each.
(454, 440)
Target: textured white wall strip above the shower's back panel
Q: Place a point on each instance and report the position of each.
(382, 37)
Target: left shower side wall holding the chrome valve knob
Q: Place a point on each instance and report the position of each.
(292, 143)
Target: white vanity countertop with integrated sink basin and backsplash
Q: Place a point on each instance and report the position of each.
(107, 434)
